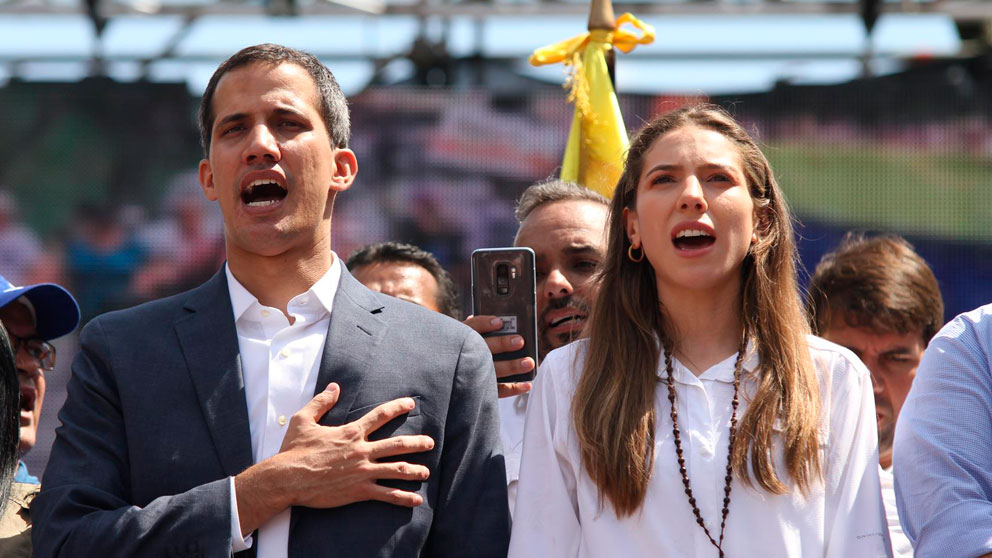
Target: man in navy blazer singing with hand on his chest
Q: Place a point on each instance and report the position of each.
(281, 408)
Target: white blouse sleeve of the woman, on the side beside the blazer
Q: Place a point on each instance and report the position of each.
(545, 520)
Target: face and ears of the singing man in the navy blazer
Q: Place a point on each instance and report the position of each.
(271, 166)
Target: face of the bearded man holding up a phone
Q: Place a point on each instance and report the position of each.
(569, 245)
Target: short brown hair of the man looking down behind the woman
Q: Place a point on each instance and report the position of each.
(880, 283)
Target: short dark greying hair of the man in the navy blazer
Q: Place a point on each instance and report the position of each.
(333, 105)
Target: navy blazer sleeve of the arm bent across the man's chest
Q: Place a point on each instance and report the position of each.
(85, 507)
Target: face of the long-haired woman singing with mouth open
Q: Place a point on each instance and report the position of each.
(694, 216)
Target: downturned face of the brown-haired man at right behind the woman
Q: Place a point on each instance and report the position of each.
(892, 359)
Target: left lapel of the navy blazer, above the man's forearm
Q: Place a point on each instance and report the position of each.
(209, 342)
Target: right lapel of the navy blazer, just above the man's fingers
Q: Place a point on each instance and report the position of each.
(352, 336)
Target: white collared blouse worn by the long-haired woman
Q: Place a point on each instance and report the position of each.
(558, 512)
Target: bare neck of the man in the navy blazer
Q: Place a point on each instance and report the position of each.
(275, 280)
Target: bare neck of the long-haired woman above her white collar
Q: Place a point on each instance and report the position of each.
(708, 326)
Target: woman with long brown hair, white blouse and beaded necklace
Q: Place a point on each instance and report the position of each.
(699, 418)
